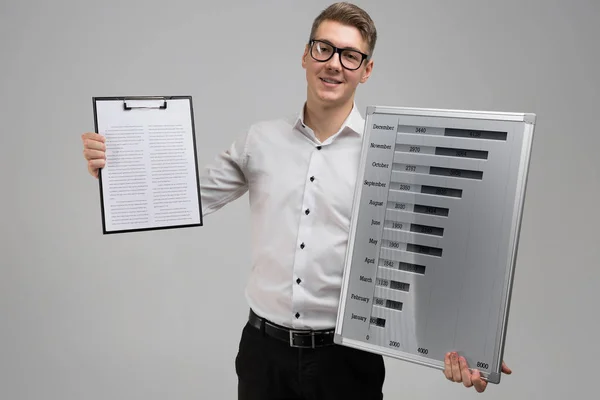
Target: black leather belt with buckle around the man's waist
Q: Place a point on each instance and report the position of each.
(295, 338)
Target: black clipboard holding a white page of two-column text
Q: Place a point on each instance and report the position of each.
(151, 179)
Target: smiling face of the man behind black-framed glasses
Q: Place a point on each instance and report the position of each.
(329, 83)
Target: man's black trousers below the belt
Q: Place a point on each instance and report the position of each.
(269, 369)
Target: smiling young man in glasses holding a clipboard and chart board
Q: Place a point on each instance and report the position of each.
(300, 173)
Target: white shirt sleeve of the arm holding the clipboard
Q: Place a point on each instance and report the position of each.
(224, 180)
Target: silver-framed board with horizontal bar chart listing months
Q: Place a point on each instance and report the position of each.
(434, 235)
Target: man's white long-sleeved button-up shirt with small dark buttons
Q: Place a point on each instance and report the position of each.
(301, 193)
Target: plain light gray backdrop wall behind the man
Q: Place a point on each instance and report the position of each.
(157, 315)
